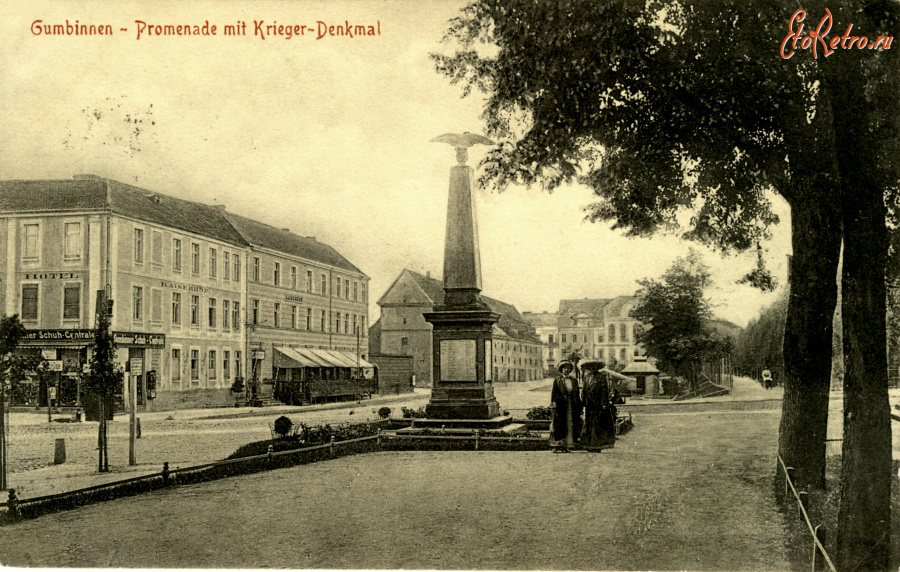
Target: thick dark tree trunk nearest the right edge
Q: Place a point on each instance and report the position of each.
(864, 517)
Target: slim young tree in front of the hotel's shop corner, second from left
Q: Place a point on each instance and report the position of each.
(105, 378)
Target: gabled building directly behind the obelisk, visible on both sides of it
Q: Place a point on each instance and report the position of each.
(402, 330)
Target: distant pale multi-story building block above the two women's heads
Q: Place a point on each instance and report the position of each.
(593, 328)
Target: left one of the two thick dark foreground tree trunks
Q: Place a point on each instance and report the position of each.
(816, 240)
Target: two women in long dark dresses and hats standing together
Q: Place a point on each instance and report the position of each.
(598, 431)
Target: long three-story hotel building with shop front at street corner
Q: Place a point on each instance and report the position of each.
(179, 274)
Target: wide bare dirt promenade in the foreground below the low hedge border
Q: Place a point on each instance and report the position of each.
(680, 492)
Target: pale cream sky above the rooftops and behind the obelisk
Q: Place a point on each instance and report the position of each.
(326, 137)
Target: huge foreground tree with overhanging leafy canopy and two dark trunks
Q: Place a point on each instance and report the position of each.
(663, 106)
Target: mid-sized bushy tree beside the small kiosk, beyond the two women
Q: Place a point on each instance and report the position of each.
(676, 314)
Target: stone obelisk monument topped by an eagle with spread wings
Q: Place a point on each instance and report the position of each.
(462, 390)
